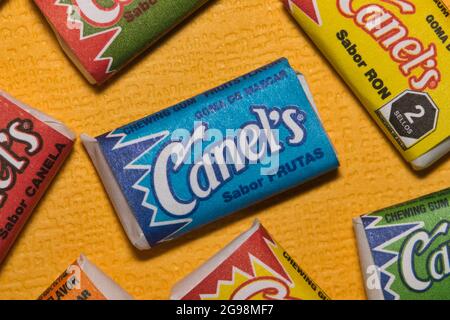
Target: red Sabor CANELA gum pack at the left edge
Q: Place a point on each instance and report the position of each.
(33, 146)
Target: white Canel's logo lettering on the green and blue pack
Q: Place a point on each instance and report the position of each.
(425, 258)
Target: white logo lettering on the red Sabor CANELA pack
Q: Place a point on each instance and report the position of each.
(11, 163)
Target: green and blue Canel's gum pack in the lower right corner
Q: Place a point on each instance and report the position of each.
(405, 249)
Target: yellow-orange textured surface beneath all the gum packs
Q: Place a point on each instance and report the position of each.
(224, 40)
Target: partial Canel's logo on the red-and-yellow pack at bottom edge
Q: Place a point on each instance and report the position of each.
(270, 288)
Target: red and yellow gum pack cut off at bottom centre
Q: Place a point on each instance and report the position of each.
(252, 267)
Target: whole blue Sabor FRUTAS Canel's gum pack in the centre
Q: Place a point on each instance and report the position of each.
(217, 153)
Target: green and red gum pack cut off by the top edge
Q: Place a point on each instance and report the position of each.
(102, 36)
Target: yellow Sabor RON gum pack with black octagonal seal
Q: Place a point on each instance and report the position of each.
(395, 56)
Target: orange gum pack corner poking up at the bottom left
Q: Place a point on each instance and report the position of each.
(84, 281)
